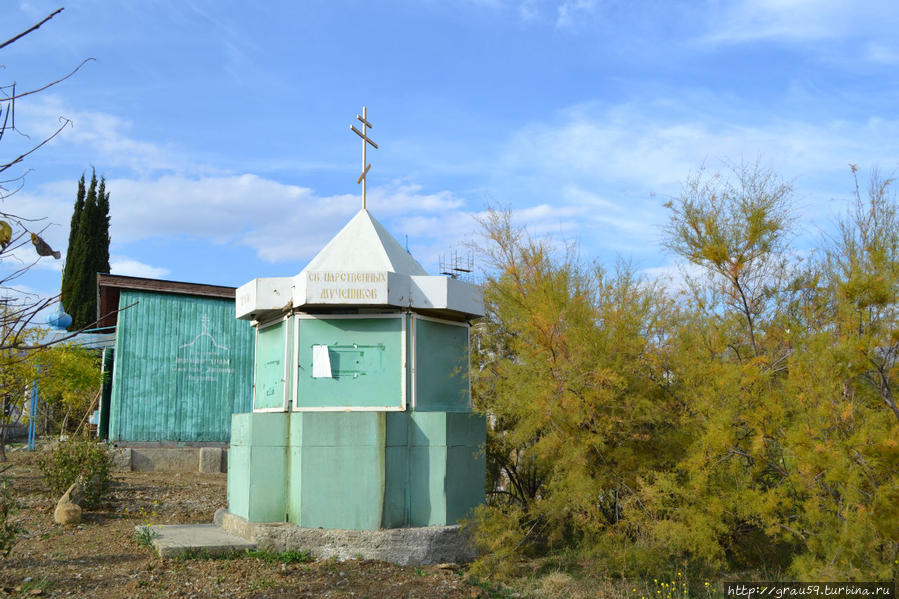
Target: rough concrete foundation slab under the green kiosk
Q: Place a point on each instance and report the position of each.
(415, 546)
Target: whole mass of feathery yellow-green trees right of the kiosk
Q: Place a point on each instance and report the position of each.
(748, 421)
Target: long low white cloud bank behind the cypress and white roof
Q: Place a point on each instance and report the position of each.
(277, 221)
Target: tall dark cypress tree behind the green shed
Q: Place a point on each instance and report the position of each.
(88, 253)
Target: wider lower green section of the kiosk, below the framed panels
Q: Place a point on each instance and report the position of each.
(357, 470)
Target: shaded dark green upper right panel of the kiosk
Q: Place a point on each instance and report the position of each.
(441, 367)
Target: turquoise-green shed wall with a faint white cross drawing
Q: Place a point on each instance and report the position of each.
(183, 365)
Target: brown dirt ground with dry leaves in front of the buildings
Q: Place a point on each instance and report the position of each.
(101, 557)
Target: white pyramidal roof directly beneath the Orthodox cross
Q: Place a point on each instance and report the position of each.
(365, 245)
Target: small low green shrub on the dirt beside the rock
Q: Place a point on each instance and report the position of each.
(78, 459)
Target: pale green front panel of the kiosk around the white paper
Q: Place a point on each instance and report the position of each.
(366, 362)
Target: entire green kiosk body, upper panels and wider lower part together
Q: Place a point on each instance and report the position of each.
(362, 469)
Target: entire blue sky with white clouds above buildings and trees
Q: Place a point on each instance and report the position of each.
(223, 127)
